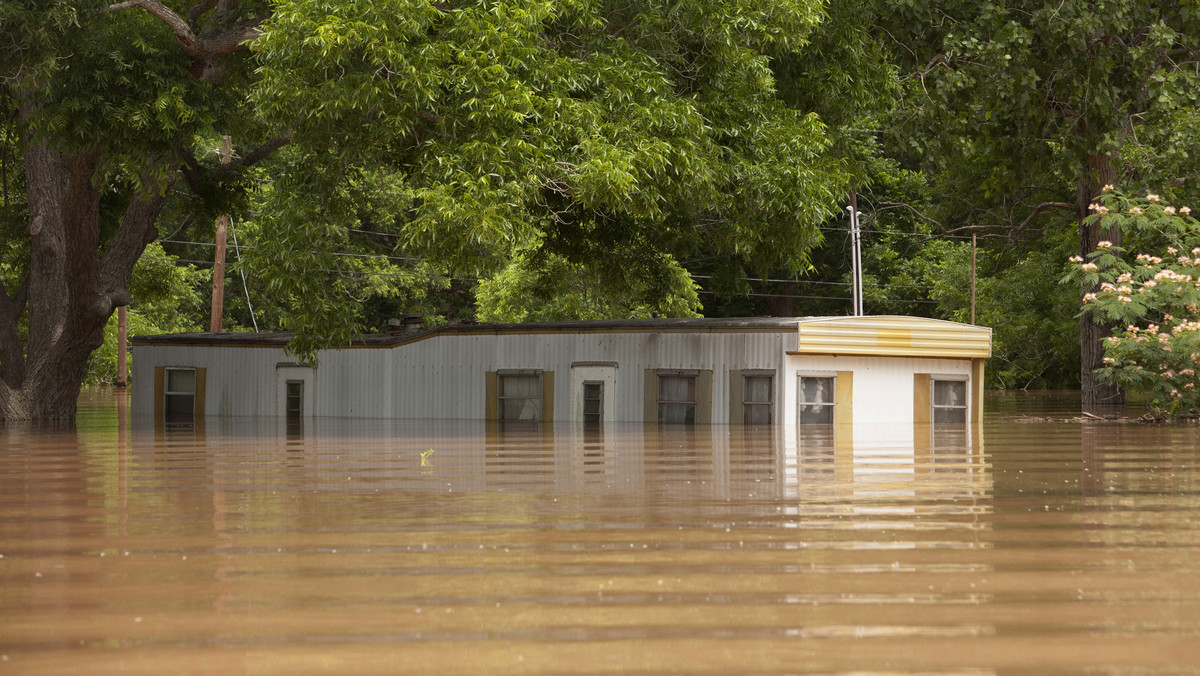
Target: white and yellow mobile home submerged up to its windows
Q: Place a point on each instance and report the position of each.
(837, 370)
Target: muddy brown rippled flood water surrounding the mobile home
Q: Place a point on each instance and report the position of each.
(457, 548)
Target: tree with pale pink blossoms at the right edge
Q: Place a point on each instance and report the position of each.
(1154, 296)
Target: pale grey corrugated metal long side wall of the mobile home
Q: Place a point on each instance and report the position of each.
(445, 375)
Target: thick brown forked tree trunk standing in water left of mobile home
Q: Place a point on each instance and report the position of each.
(73, 289)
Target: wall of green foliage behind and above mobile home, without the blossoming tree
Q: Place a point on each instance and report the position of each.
(585, 159)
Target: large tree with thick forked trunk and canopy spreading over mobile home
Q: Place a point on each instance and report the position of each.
(598, 134)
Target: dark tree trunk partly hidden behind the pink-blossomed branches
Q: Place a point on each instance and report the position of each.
(1095, 394)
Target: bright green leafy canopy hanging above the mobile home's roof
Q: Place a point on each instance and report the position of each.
(577, 133)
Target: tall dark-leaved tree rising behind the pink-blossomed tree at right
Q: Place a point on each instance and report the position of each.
(1022, 111)
